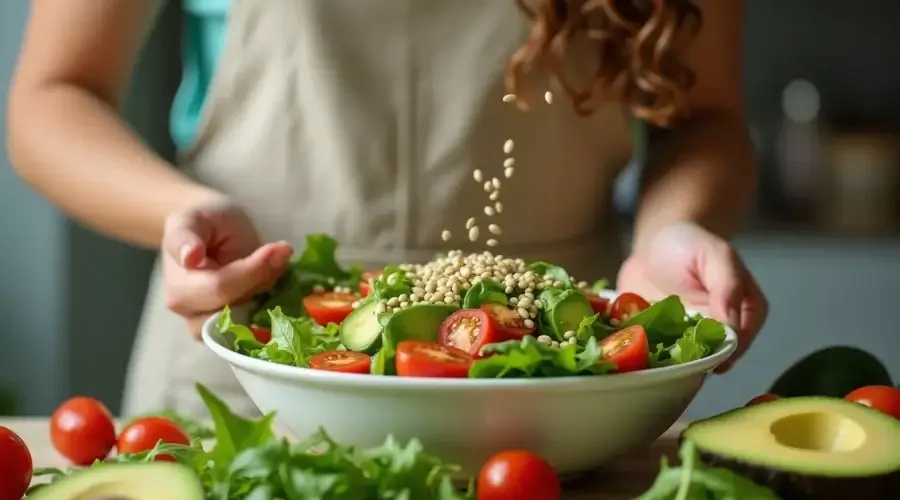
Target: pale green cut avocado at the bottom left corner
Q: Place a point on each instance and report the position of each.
(142, 481)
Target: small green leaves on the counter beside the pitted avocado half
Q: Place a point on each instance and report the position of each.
(694, 481)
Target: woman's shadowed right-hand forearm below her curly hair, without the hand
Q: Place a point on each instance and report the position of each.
(703, 172)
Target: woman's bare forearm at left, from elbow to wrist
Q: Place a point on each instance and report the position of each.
(74, 149)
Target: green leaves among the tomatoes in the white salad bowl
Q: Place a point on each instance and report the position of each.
(674, 337)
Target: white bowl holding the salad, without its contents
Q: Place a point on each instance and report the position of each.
(575, 423)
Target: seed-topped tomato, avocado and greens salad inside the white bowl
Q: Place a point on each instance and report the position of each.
(461, 316)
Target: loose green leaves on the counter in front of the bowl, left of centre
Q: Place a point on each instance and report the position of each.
(247, 461)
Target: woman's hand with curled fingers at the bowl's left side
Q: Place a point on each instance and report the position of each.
(213, 257)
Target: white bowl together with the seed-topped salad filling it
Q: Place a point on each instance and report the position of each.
(470, 353)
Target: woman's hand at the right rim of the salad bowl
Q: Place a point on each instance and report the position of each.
(706, 272)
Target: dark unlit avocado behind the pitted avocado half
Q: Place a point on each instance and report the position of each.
(834, 371)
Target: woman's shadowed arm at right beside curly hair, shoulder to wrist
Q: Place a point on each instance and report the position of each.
(704, 170)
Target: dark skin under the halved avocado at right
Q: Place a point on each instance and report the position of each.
(789, 486)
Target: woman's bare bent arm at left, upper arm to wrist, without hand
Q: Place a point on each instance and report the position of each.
(65, 136)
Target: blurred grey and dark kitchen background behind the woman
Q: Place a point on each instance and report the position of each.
(823, 87)
